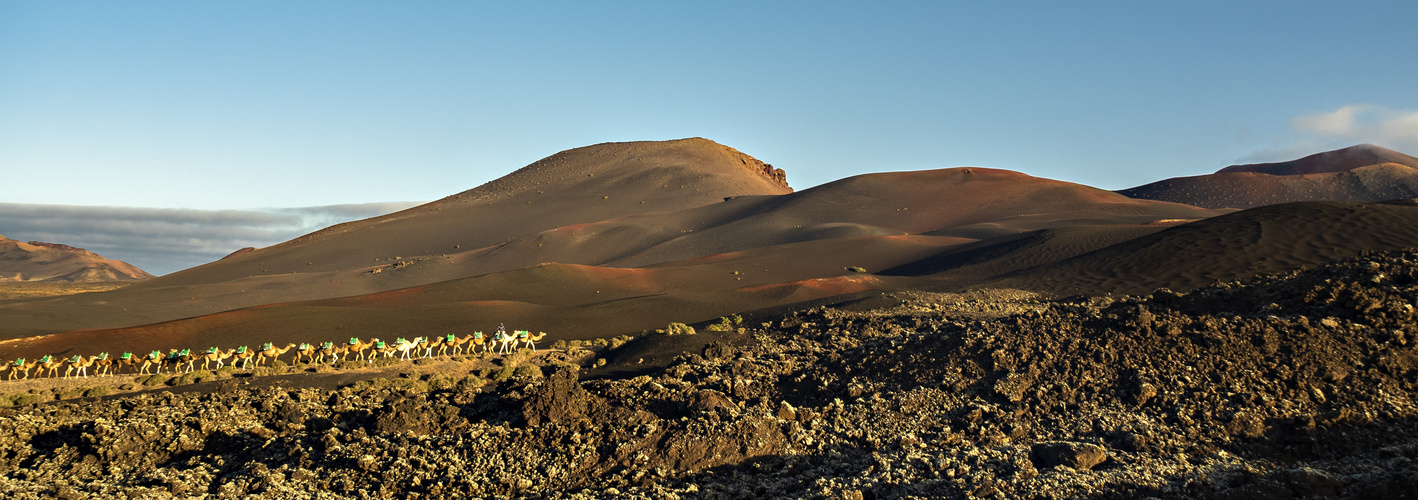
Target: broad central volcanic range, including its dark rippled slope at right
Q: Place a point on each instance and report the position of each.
(625, 237)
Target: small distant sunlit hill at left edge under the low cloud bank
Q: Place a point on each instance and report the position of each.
(53, 263)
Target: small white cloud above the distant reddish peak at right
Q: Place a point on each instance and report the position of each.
(1342, 128)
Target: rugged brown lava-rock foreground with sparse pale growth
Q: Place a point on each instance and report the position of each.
(1291, 386)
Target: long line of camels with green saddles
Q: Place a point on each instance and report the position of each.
(243, 358)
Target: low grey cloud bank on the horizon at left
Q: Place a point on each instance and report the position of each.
(167, 240)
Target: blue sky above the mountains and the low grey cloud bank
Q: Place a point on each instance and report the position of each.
(243, 106)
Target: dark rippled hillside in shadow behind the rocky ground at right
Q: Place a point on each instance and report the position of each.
(1230, 247)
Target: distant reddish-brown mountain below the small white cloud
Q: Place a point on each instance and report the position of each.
(1359, 174)
